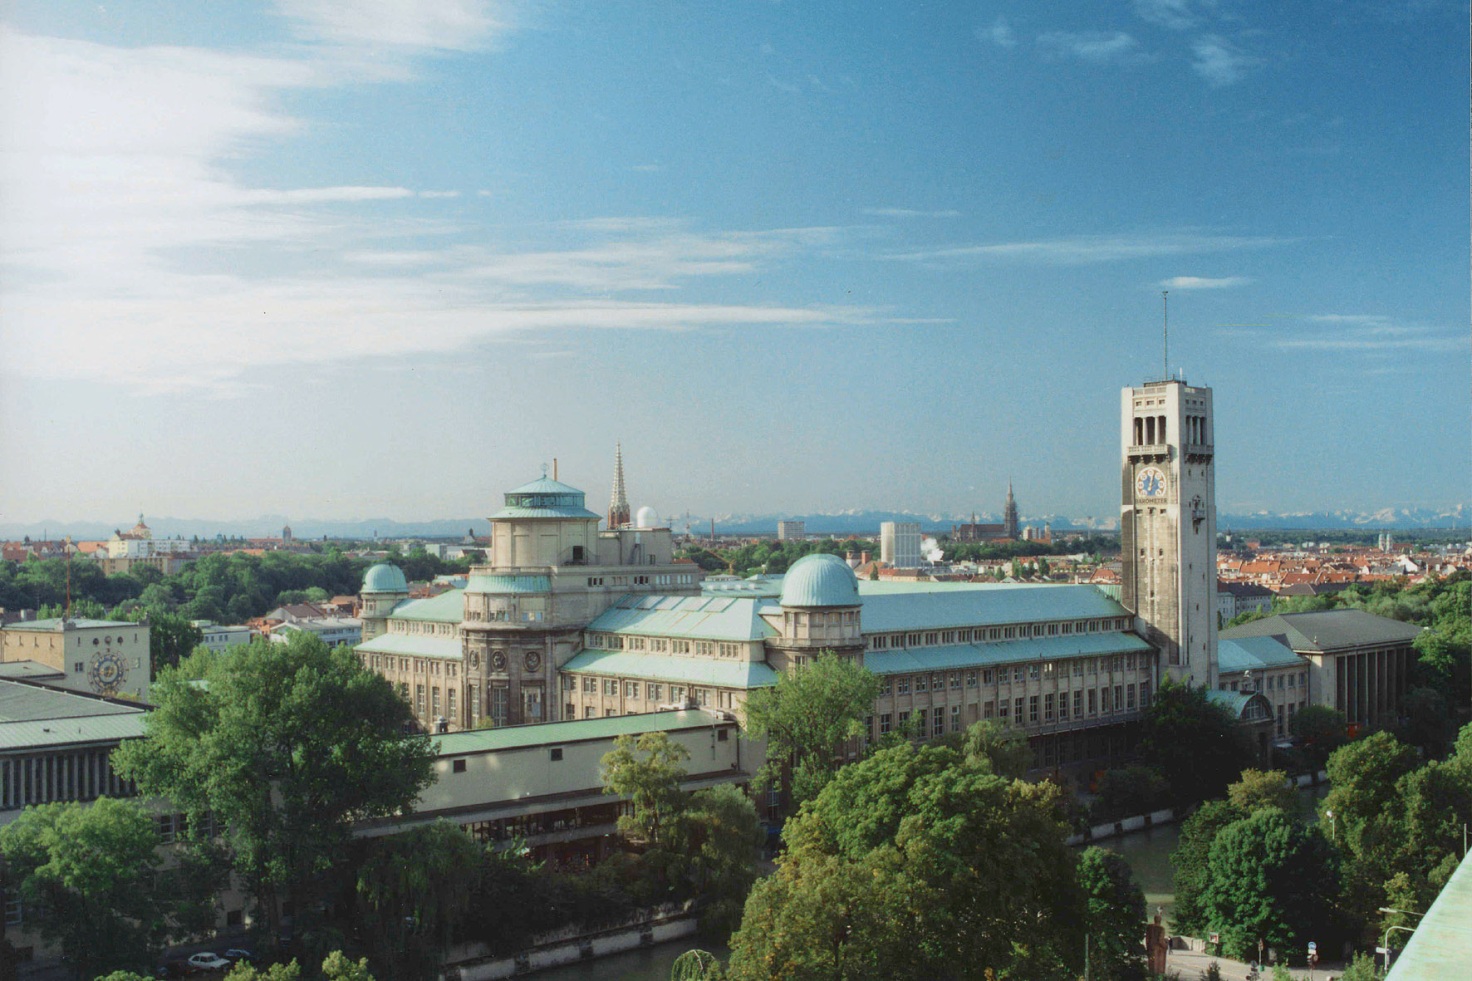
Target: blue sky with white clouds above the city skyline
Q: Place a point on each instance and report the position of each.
(335, 260)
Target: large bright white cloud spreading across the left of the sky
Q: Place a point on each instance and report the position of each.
(123, 229)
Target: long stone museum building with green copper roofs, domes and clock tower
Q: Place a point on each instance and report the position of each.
(570, 621)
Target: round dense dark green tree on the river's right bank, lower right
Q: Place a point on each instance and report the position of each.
(1270, 879)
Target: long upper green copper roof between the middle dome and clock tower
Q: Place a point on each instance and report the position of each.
(912, 606)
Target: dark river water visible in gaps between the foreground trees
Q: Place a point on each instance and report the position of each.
(1147, 852)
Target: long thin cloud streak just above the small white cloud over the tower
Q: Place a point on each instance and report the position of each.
(1087, 250)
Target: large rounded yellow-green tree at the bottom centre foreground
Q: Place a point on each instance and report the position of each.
(918, 864)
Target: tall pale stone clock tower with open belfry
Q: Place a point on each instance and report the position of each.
(1168, 524)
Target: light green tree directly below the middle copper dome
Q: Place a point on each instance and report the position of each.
(807, 718)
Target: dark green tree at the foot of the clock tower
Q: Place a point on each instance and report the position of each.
(1196, 745)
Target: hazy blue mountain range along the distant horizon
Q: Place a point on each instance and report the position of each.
(856, 522)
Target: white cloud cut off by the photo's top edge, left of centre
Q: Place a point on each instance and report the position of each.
(395, 24)
